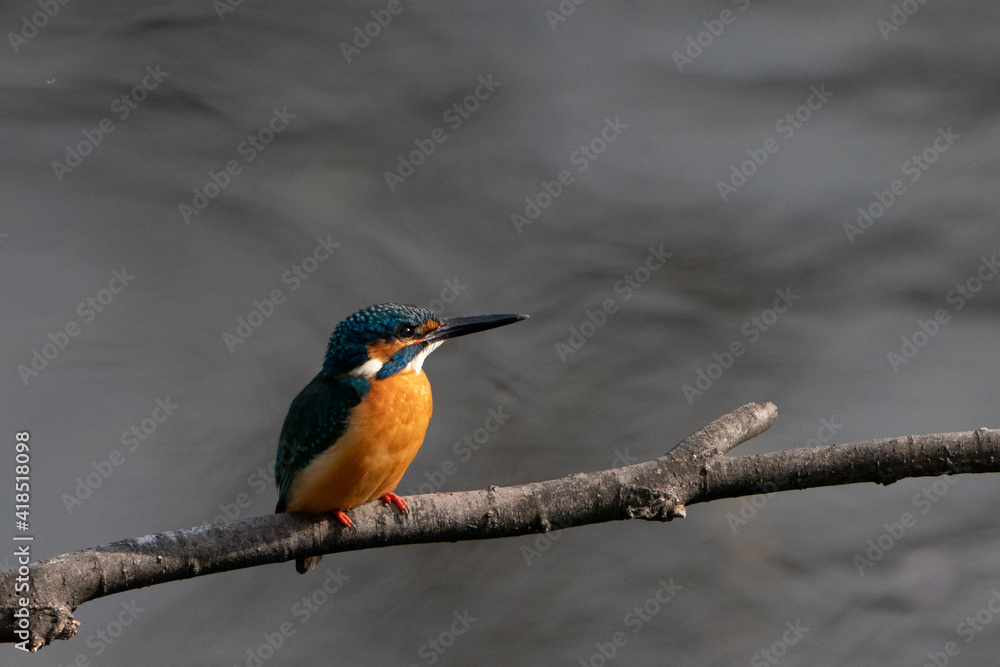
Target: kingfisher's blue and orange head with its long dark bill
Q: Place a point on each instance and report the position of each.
(383, 340)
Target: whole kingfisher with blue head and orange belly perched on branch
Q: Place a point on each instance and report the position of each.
(353, 430)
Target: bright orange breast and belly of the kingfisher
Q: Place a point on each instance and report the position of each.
(385, 431)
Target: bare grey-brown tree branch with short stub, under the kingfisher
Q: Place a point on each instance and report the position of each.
(695, 471)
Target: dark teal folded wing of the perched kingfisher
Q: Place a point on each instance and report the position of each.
(316, 418)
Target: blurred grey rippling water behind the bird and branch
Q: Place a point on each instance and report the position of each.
(687, 95)
